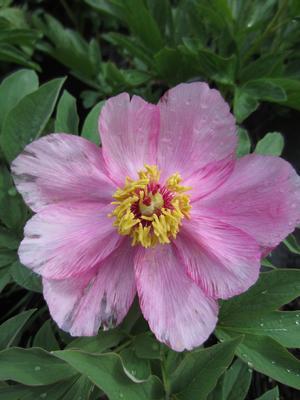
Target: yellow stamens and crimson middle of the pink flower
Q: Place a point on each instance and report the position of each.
(148, 211)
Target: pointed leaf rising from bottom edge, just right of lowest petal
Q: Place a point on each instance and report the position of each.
(199, 371)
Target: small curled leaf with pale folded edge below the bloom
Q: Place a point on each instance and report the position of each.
(137, 369)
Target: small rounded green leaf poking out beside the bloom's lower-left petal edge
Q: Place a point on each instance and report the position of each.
(25, 278)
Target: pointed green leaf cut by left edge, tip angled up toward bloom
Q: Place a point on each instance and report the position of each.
(12, 327)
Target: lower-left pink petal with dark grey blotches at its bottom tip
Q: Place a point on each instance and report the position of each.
(99, 297)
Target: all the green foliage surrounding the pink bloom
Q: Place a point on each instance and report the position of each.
(60, 60)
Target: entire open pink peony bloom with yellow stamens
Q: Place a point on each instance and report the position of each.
(164, 209)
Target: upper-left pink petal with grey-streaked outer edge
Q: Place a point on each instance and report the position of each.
(59, 168)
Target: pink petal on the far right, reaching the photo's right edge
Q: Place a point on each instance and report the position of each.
(261, 197)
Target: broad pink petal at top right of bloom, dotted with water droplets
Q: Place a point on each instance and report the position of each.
(196, 128)
